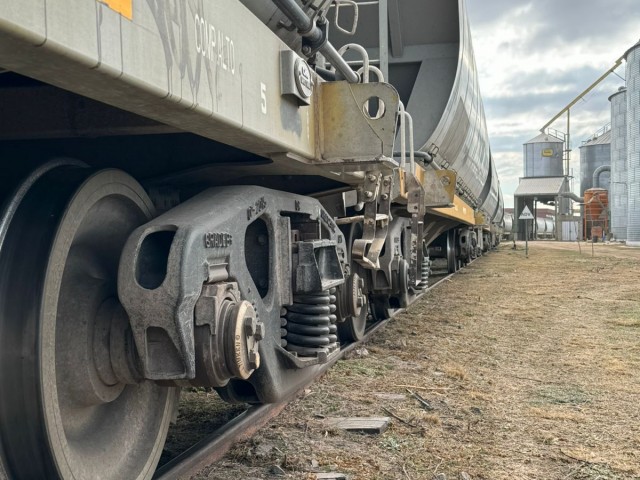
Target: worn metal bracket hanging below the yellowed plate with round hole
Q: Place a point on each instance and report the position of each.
(377, 216)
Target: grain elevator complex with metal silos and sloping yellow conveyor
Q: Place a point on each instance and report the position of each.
(609, 171)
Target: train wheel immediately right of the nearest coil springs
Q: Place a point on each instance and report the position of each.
(353, 299)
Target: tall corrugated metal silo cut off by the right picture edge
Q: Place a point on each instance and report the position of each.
(633, 145)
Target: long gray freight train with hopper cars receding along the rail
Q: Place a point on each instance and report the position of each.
(216, 193)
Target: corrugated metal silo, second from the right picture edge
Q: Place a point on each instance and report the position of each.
(618, 191)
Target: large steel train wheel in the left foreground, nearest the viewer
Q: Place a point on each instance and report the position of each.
(71, 405)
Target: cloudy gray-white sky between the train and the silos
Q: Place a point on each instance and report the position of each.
(536, 56)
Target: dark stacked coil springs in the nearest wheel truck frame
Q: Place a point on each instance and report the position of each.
(309, 325)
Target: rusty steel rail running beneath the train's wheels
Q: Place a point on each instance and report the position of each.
(215, 445)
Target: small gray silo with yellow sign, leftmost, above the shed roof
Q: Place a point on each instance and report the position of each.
(543, 156)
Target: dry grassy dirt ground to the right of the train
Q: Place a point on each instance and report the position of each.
(516, 368)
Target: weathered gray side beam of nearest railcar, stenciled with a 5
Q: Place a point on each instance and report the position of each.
(163, 64)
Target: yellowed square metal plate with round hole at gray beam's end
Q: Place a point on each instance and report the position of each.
(351, 134)
